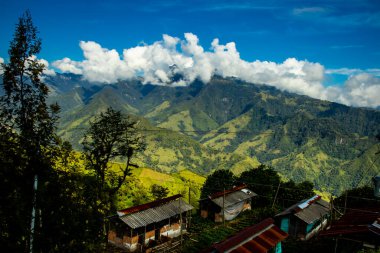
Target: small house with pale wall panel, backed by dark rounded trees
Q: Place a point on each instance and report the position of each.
(226, 204)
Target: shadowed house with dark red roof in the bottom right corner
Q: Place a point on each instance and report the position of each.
(356, 229)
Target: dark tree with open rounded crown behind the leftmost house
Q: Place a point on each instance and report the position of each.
(111, 137)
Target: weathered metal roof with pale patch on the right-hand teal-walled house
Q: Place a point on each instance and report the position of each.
(308, 211)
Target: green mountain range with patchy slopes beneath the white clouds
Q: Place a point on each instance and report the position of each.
(231, 124)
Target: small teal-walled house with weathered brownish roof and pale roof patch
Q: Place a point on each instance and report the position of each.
(304, 219)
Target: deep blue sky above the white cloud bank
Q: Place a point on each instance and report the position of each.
(341, 35)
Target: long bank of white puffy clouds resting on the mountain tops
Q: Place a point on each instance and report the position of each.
(160, 62)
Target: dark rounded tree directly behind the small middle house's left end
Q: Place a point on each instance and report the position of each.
(218, 181)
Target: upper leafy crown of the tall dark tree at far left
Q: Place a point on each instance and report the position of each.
(24, 102)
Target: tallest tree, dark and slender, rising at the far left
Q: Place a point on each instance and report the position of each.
(24, 110)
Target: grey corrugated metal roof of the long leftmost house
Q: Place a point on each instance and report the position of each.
(156, 214)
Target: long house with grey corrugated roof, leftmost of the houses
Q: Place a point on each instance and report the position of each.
(148, 224)
